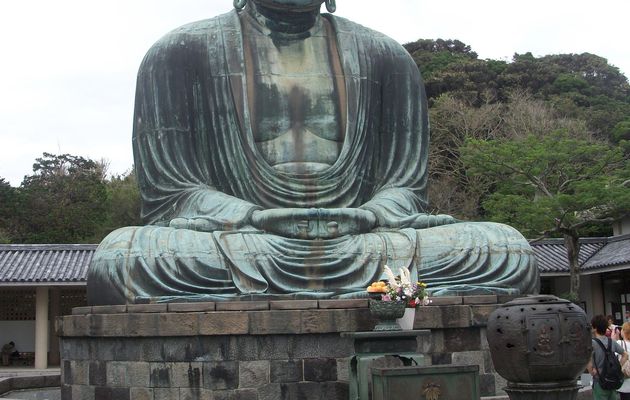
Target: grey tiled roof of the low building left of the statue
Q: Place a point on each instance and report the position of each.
(44, 263)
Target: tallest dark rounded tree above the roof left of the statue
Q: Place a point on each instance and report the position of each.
(63, 201)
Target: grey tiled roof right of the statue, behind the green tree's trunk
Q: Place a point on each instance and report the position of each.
(595, 254)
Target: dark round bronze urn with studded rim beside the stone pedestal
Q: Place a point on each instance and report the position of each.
(539, 339)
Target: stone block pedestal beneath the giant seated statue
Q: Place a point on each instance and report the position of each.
(249, 350)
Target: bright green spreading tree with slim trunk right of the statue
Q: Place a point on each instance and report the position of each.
(553, 184)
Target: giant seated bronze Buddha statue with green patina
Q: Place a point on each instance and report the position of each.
(283, 153)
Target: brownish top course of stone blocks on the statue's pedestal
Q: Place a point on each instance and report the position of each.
(264, 317)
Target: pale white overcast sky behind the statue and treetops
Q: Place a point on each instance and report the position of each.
(67, 67)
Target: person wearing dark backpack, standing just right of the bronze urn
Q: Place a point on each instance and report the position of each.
(604, 365)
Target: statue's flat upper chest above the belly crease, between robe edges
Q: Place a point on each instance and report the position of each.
(294, 90)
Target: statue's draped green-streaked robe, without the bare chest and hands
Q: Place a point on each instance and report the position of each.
(196, 158)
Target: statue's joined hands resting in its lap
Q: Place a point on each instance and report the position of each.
(314, 223)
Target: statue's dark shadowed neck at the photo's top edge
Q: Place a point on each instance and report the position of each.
(284, 22)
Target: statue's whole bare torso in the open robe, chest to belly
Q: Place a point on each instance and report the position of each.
(295, 106)
